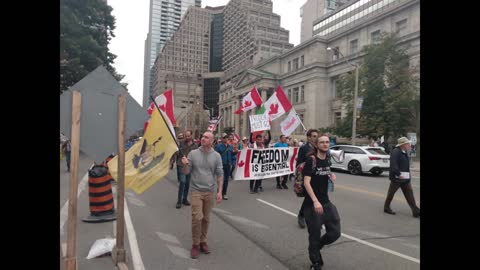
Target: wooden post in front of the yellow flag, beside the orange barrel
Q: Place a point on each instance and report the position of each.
(120, 254)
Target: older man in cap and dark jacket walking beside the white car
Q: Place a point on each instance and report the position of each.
(400, 177)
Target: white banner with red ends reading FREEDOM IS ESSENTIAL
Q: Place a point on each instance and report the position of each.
(265, 163)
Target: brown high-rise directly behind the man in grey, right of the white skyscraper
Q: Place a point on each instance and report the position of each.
(180, 66)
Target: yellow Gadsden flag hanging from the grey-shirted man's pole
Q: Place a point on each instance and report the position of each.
(148, 160)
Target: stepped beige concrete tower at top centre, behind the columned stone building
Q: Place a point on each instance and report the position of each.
(252, 33)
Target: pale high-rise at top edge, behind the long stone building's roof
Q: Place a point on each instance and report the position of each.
(314, 9)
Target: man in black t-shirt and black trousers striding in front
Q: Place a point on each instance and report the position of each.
(318, 210)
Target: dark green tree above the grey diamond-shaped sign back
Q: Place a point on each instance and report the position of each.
(86, 28)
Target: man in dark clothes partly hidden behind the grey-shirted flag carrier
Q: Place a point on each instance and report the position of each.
(186, 145)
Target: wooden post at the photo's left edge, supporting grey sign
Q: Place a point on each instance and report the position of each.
(71, 259)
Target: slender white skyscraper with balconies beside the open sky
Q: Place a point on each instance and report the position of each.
(164, 19)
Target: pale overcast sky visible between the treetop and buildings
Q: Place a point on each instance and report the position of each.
(132, 27)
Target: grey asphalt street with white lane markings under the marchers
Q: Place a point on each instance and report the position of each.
(255, 231)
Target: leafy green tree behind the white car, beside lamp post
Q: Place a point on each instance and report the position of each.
(389, 89)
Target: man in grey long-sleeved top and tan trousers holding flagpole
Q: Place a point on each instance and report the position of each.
(204, 165)
